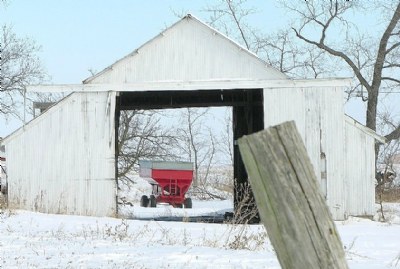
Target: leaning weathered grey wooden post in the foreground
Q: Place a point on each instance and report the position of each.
(289, 200)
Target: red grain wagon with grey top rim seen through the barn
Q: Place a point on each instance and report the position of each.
(169, 180)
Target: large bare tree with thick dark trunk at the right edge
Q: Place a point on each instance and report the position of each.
(374, 63)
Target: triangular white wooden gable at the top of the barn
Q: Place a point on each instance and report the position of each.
(189, 50)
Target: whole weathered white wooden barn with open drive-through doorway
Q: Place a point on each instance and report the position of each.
(64, 161)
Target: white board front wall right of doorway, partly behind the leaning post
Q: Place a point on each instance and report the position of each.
(319, 117)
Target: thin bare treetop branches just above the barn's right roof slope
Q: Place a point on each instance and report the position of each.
(278, 49)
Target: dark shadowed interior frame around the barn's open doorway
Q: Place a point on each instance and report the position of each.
(247, 117)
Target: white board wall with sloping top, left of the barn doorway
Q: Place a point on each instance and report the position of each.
(63, 161)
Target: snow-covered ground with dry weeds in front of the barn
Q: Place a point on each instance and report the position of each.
(35, 240)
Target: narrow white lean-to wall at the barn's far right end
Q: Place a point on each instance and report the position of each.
(359, 171)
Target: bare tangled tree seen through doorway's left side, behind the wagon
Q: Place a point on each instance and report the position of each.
(140, 136)
